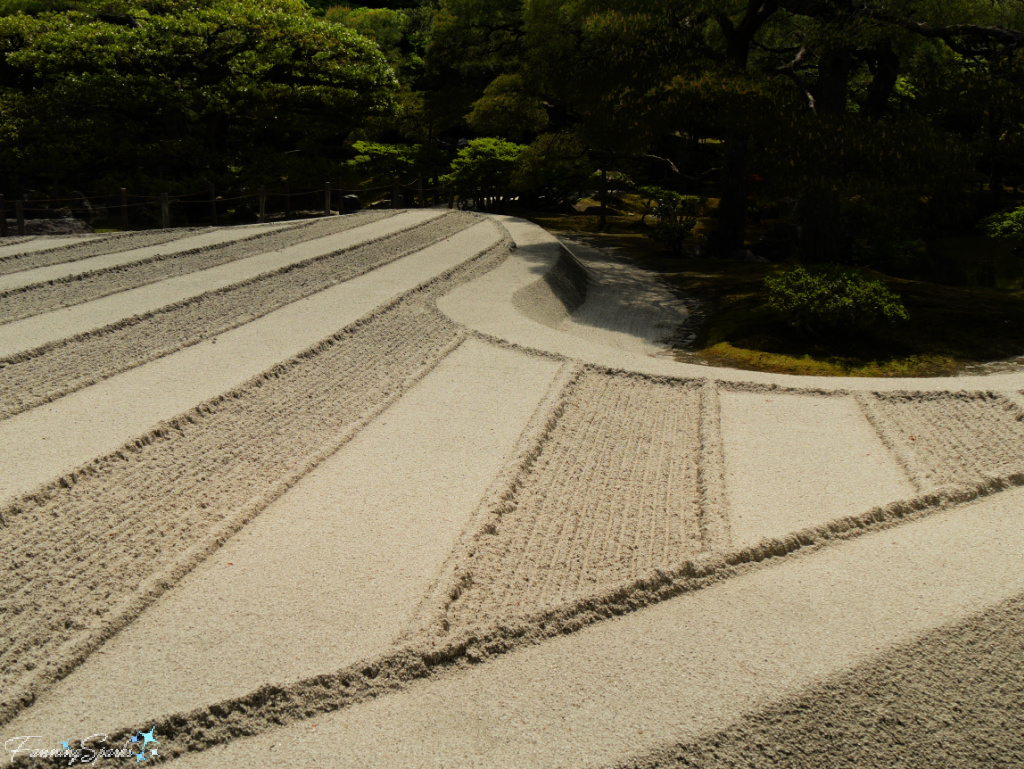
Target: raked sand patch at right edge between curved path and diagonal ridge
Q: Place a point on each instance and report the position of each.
(951, 439)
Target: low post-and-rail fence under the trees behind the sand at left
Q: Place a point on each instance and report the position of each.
(207, 206)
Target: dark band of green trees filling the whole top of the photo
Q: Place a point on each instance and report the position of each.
(876, 122)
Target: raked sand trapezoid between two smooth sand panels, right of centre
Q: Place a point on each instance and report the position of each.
(612, 494)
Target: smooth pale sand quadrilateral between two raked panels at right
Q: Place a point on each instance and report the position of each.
(799, 461)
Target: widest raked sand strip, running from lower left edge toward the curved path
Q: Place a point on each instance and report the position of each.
(84, 556)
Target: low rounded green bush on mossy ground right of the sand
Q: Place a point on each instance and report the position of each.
(833, 301)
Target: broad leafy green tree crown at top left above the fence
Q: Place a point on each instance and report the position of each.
(198, 91)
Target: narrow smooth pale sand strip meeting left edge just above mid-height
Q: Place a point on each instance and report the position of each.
(33, 332)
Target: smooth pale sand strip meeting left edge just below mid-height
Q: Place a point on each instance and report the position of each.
(57, 438)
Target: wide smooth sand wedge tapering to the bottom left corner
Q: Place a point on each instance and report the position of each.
(330, 573)
